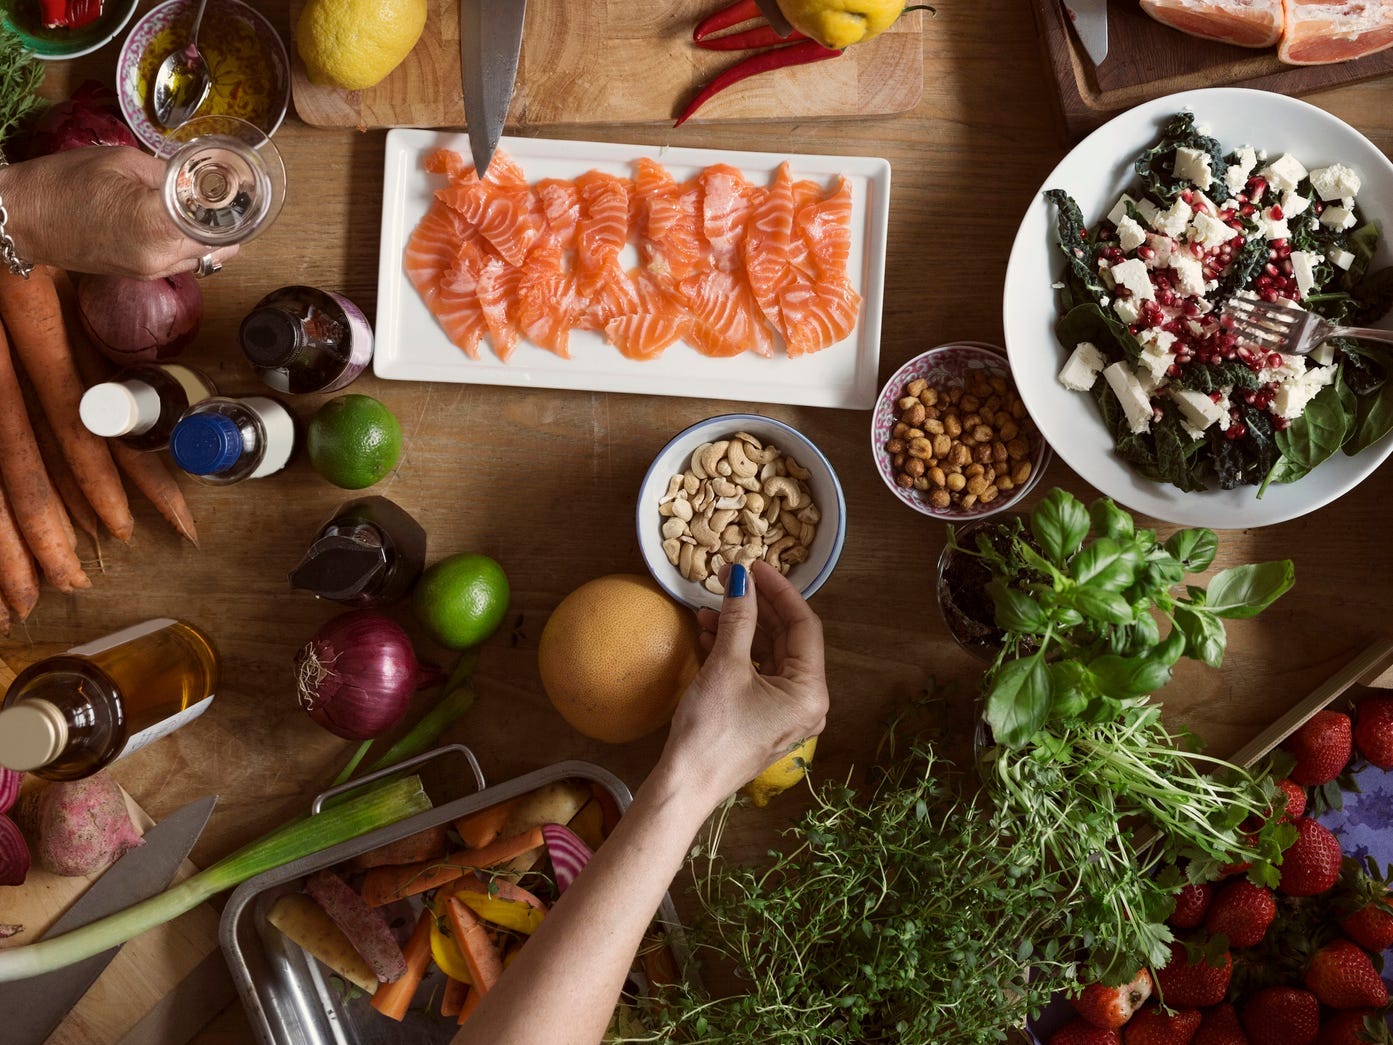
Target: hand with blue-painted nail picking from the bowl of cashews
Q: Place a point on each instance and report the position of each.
(738, 720)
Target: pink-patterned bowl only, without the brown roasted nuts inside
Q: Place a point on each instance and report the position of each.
(948, 367)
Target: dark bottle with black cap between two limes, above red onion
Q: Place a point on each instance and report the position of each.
(368, 555)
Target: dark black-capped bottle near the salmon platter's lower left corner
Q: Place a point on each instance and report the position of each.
(302, 339)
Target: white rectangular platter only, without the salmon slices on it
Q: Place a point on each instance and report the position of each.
(412, 346)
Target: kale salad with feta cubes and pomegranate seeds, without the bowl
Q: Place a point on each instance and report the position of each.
(1186, 399)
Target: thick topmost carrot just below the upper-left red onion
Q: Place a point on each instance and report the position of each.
(34, 317)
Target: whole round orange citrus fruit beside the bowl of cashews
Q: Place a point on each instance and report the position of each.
(616, 656)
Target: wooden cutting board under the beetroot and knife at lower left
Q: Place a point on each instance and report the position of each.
(143, 973)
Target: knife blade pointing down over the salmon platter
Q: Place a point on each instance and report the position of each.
(491, 40)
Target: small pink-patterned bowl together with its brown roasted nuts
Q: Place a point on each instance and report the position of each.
(952, 438)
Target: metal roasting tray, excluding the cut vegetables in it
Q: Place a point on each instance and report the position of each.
(289, 996)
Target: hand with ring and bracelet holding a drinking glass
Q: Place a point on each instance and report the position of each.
(98, 210)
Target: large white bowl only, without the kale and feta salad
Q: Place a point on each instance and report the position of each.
(1096, 173)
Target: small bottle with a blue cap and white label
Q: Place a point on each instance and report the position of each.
(226, 440)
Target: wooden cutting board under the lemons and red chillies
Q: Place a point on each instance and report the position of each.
(607, 63)
